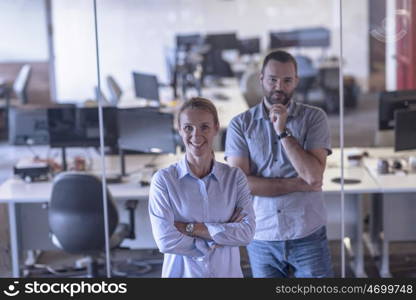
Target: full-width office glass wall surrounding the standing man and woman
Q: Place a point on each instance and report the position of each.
(121, 81)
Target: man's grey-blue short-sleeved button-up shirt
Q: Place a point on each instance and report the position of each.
(251, 134)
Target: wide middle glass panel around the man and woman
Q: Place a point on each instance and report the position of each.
(155, 56)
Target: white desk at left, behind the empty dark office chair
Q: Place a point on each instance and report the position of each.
(15, 191)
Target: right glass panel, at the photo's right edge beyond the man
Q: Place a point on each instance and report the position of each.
(379, 101)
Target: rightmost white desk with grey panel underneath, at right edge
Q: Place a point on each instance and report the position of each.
(396, 198)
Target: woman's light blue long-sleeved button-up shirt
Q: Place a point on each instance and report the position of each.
(177, 195)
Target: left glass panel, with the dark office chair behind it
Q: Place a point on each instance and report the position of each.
(55, 199)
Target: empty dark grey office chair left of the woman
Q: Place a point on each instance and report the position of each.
(76, 218)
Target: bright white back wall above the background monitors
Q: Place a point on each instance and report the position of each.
(136, 35)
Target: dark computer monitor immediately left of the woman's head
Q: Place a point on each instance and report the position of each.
(146, 130)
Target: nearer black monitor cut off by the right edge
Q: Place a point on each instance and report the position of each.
(405, 130)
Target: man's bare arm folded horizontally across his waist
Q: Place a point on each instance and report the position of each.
(271, 187)
